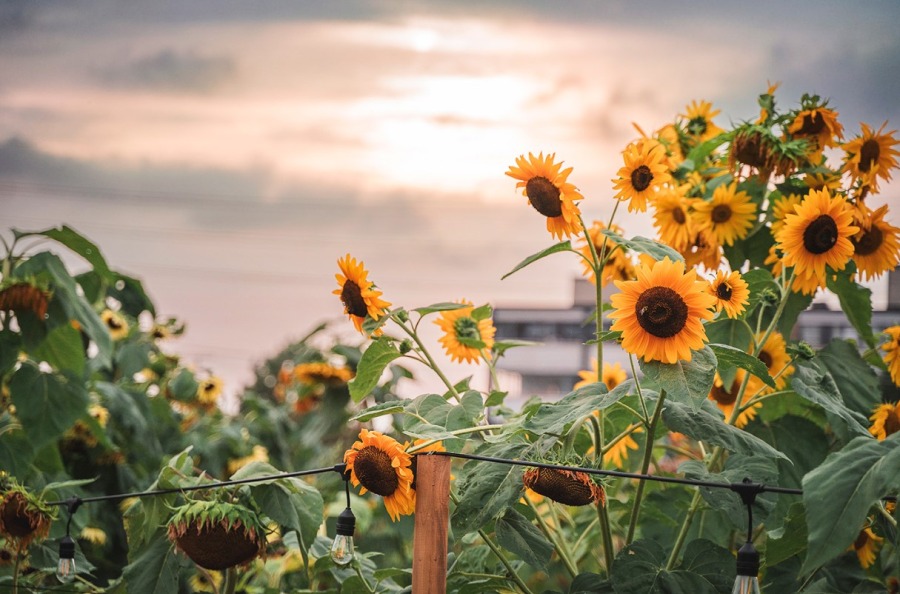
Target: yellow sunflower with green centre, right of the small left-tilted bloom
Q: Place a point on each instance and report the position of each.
(468, 333)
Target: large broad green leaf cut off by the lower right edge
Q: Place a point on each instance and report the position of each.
(841, 491)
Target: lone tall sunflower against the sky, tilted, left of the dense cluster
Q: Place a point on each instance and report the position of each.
(548, 192)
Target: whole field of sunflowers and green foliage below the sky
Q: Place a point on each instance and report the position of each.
(724, 431)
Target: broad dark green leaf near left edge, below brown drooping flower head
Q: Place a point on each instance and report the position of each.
(46, 404)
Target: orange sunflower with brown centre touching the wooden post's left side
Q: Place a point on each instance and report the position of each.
(381, 465)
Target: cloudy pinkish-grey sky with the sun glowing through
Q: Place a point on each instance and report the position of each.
(227, 153)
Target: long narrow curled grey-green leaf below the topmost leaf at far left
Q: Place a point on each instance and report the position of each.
(75, 306)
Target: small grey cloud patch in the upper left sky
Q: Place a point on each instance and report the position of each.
(172, 71)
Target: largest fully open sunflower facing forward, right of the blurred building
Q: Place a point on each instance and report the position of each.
(660, 314)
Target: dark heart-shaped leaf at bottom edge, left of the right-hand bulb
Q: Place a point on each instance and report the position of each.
(640, 569)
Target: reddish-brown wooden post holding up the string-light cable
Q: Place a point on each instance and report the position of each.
(432, 524)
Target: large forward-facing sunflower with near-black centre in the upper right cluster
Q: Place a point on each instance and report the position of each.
(817, 234)
